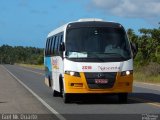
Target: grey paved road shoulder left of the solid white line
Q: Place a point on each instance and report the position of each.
(14, 98)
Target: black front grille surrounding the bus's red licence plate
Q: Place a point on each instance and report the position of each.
(91, 77)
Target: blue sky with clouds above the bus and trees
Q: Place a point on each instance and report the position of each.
(27, 22)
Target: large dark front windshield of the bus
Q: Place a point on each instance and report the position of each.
(97, 42)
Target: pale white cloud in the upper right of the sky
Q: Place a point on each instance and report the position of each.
(129, 8)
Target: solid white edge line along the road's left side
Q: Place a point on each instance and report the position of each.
(39, 98)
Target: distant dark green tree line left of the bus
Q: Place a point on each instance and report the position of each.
(25, 55)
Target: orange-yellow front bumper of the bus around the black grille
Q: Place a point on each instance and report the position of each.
(79, 85)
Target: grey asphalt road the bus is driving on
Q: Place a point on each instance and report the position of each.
(145, 99)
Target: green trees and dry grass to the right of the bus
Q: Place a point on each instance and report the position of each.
(147, 61)
